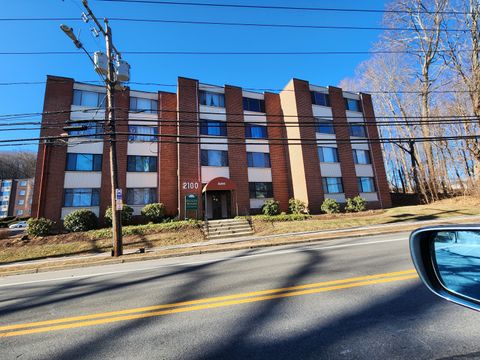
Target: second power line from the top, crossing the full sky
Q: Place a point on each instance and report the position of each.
(241, 24)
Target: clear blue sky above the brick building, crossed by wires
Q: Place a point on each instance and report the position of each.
(246, 71)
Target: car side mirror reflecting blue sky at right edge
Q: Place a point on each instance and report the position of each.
(447, 258)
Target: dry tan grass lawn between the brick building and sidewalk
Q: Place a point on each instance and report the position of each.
(14, 249)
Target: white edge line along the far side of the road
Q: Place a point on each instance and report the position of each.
(270, 253)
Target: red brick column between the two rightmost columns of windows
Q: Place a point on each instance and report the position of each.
(344, 147)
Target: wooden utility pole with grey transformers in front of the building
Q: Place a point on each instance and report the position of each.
(113, 77)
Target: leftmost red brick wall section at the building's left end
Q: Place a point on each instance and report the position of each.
(51, 158)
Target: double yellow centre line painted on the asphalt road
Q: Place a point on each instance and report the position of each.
(200, 304)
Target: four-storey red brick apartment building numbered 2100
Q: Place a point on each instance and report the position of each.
(223, 144)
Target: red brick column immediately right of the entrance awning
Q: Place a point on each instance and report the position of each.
(237, 153)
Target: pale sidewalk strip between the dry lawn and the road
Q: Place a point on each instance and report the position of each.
(218, 245)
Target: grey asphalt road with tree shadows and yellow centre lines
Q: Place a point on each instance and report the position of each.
(342, 299)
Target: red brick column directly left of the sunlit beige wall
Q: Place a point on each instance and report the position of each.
(278, 152)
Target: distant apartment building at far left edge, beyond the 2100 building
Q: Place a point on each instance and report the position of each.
(16, 197)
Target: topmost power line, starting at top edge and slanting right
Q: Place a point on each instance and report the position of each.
(273, 7)
